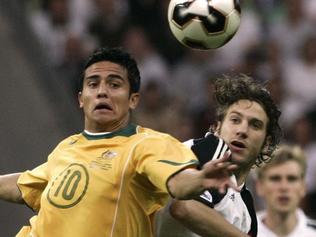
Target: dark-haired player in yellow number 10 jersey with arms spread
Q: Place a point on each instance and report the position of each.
(109, 180)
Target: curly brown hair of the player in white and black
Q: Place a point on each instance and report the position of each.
(231, 89)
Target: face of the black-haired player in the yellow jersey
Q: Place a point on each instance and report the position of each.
(105, 97)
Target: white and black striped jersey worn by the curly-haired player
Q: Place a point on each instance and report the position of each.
(236, 207)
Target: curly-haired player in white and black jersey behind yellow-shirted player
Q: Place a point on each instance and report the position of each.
(247, 121)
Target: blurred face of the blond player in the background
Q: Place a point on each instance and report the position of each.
(282, 187)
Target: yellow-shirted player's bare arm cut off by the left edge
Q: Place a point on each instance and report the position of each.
(9, 190)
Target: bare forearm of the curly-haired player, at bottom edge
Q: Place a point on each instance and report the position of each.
(203, 220)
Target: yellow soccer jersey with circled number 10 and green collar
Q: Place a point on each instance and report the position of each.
(108, 185)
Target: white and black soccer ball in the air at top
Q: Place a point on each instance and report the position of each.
(204, 24)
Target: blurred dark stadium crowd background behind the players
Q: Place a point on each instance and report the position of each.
(44, 44)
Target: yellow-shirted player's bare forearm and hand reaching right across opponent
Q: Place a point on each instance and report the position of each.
(215, 174)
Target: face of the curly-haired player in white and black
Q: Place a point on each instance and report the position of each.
(244, 130)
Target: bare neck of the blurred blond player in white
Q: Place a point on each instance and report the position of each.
(281, 224)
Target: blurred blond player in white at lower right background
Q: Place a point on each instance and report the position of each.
(281, 184)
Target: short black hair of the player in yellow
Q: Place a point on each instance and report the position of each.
(119, 56)
